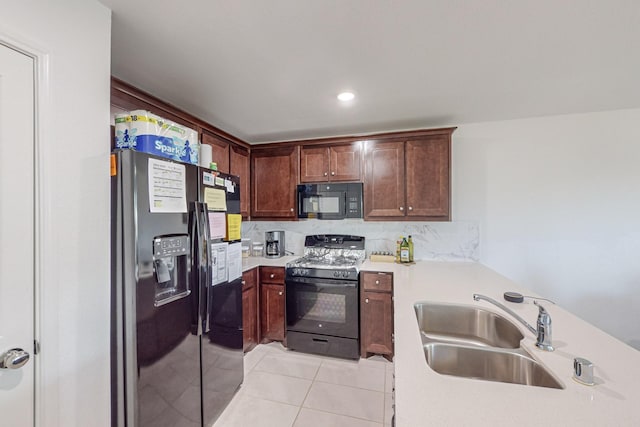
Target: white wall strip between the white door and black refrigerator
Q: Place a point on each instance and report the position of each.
(73, 38)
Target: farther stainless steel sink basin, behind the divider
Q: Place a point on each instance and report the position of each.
(465, 324)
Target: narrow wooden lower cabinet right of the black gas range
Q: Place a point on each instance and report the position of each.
(376, 314)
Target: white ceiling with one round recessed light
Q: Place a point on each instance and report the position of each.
(269, 70)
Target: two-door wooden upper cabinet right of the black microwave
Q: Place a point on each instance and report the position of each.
(408, 179)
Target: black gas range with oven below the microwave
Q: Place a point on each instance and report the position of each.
(322, 294)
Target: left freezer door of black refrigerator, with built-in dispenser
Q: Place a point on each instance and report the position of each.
(156, 356)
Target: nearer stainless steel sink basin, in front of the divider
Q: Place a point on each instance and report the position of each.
(488, 364)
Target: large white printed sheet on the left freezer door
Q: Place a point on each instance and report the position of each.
(167, 186)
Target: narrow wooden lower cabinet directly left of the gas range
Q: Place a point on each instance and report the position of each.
(272, 304)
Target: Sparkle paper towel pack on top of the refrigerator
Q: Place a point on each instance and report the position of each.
(142, 130)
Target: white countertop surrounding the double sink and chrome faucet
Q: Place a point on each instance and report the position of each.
(424, 397)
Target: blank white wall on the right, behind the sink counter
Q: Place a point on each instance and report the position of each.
(558, 205)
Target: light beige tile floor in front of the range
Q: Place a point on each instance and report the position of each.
(284, 388)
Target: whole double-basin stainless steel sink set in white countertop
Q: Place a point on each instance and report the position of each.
(471, 342)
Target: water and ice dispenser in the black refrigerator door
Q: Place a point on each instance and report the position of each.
(170, 257)
